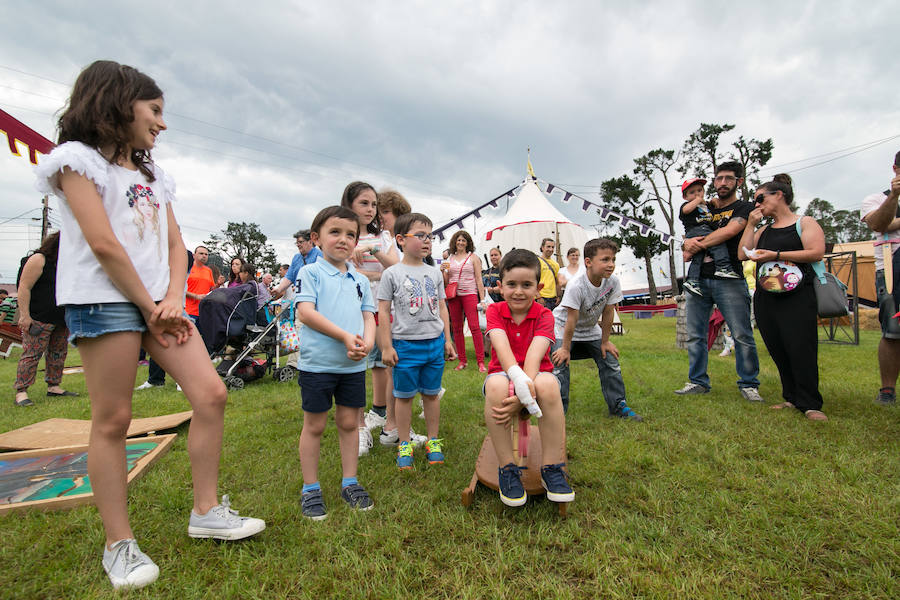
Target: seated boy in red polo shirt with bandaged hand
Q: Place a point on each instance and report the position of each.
(521, 333)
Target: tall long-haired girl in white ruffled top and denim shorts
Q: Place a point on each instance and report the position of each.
(122, 269)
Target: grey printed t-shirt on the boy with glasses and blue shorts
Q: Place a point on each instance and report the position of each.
(415, 293)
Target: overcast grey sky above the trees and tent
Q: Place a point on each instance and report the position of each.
(273, 107)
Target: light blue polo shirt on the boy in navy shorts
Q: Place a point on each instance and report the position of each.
(341, 298)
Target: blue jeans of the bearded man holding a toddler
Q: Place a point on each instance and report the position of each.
(733, 299)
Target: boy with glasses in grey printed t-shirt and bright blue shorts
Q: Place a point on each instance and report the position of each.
(416, 343)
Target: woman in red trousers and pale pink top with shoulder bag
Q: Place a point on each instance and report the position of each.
(464, 268)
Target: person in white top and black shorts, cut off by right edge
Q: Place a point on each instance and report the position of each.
(881, 214)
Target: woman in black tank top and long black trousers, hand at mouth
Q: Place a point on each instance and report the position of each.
(785, 301)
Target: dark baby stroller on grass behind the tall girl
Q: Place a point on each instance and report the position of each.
(246, 339)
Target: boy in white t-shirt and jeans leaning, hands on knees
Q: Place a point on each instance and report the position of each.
(591, 297)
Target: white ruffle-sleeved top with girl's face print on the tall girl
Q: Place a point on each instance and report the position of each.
(137, 213)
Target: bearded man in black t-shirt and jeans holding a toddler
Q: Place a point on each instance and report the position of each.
(731, 296)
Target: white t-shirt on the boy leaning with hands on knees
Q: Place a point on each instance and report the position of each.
(589, 301)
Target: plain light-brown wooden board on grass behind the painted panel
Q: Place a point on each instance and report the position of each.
(72, 432)
